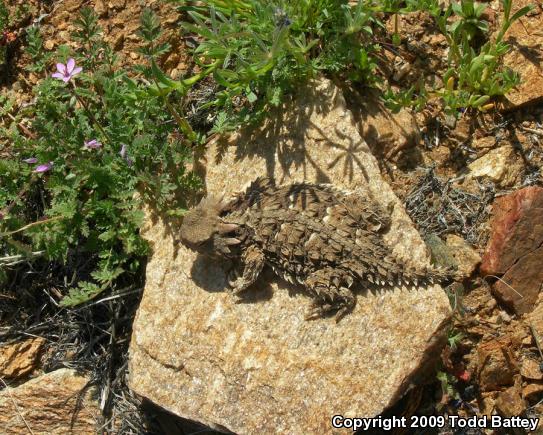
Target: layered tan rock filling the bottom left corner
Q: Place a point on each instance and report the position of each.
(54, 403)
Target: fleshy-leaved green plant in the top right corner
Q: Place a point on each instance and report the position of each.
(475, 70)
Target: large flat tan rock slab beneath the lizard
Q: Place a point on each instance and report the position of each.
(258, 366)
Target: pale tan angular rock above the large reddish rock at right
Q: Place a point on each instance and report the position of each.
(497, 165)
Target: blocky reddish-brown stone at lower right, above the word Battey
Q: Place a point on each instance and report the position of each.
(495, 365)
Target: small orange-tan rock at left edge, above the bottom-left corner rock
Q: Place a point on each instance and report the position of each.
(20, 359)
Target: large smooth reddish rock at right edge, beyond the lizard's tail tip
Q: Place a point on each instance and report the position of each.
(517, 228)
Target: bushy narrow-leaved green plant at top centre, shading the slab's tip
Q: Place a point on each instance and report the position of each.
(258, 51)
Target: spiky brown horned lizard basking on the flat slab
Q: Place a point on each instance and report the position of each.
(315, 235)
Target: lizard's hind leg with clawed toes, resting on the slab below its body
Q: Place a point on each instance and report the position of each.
(326, 287)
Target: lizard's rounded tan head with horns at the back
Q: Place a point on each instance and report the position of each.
(205, 232)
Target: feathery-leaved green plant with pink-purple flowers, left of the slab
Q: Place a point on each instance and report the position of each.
(99, 144)
